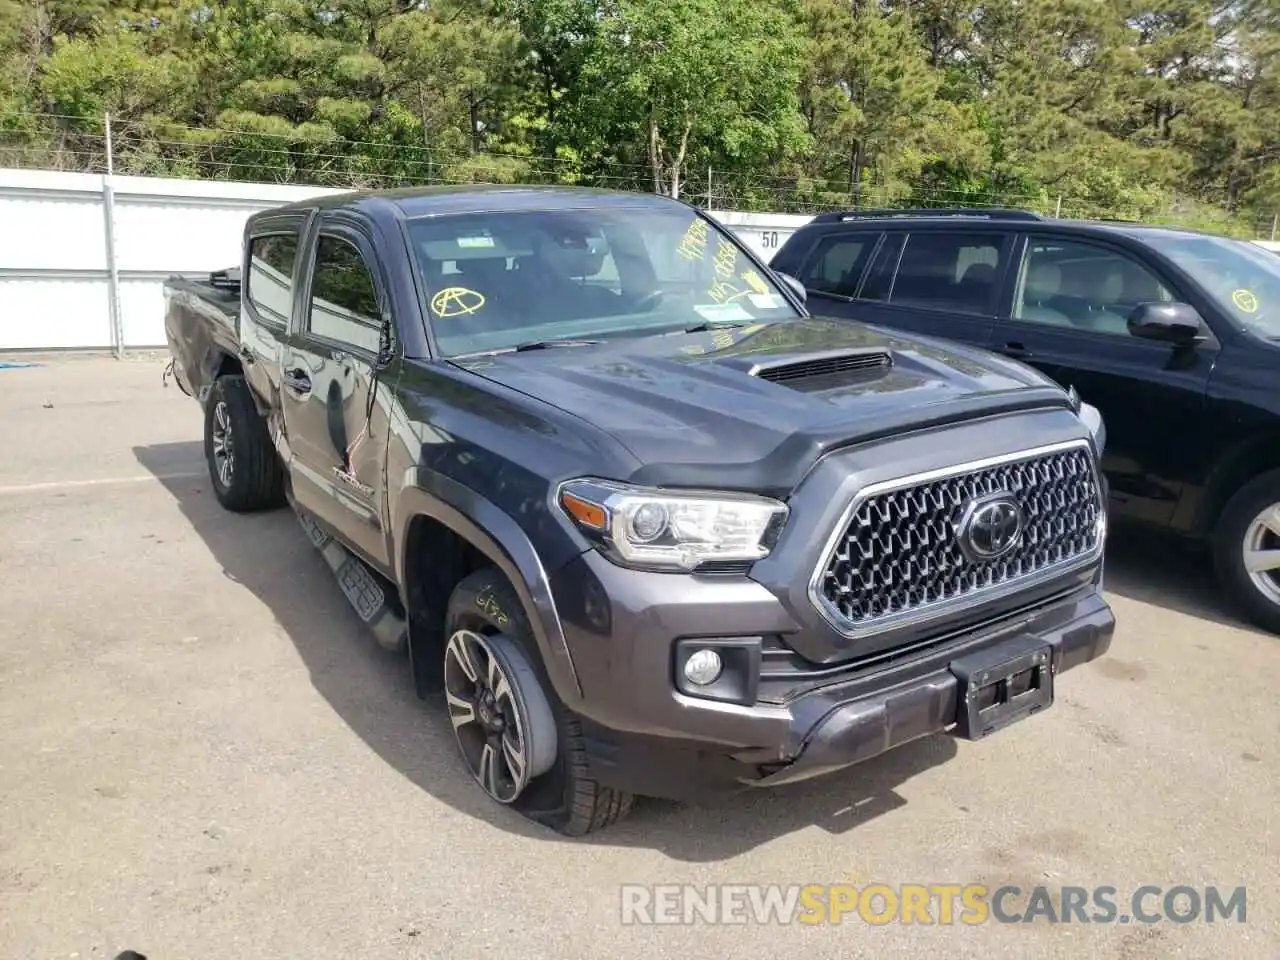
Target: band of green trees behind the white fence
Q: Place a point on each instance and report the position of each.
(1135, 108)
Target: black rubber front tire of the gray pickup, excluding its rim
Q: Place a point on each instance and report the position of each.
(565, 797)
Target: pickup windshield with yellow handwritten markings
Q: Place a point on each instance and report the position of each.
(497, 281)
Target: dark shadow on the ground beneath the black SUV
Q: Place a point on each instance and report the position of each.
(1167, 572)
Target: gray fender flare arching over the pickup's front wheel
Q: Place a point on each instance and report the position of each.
(492, 532)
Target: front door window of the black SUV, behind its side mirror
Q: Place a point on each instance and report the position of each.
(1069, 284)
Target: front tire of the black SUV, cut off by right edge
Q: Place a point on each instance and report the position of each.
(1241, 529)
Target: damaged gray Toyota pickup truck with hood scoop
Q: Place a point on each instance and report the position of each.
(644, 525)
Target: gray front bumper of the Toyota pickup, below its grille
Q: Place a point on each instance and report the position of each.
(646, 737)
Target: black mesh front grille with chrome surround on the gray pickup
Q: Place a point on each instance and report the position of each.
(900, 554)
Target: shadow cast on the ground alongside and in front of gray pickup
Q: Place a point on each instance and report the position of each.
(372, 692)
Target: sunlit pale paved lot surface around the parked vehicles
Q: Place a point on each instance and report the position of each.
(204, 756)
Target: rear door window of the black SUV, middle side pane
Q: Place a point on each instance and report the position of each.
(954, 272)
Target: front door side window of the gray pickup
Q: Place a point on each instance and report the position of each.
(344, 299)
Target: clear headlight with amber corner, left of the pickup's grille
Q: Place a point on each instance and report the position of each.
(655, 529)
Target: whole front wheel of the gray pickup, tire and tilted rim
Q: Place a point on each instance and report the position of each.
(541, 770)
